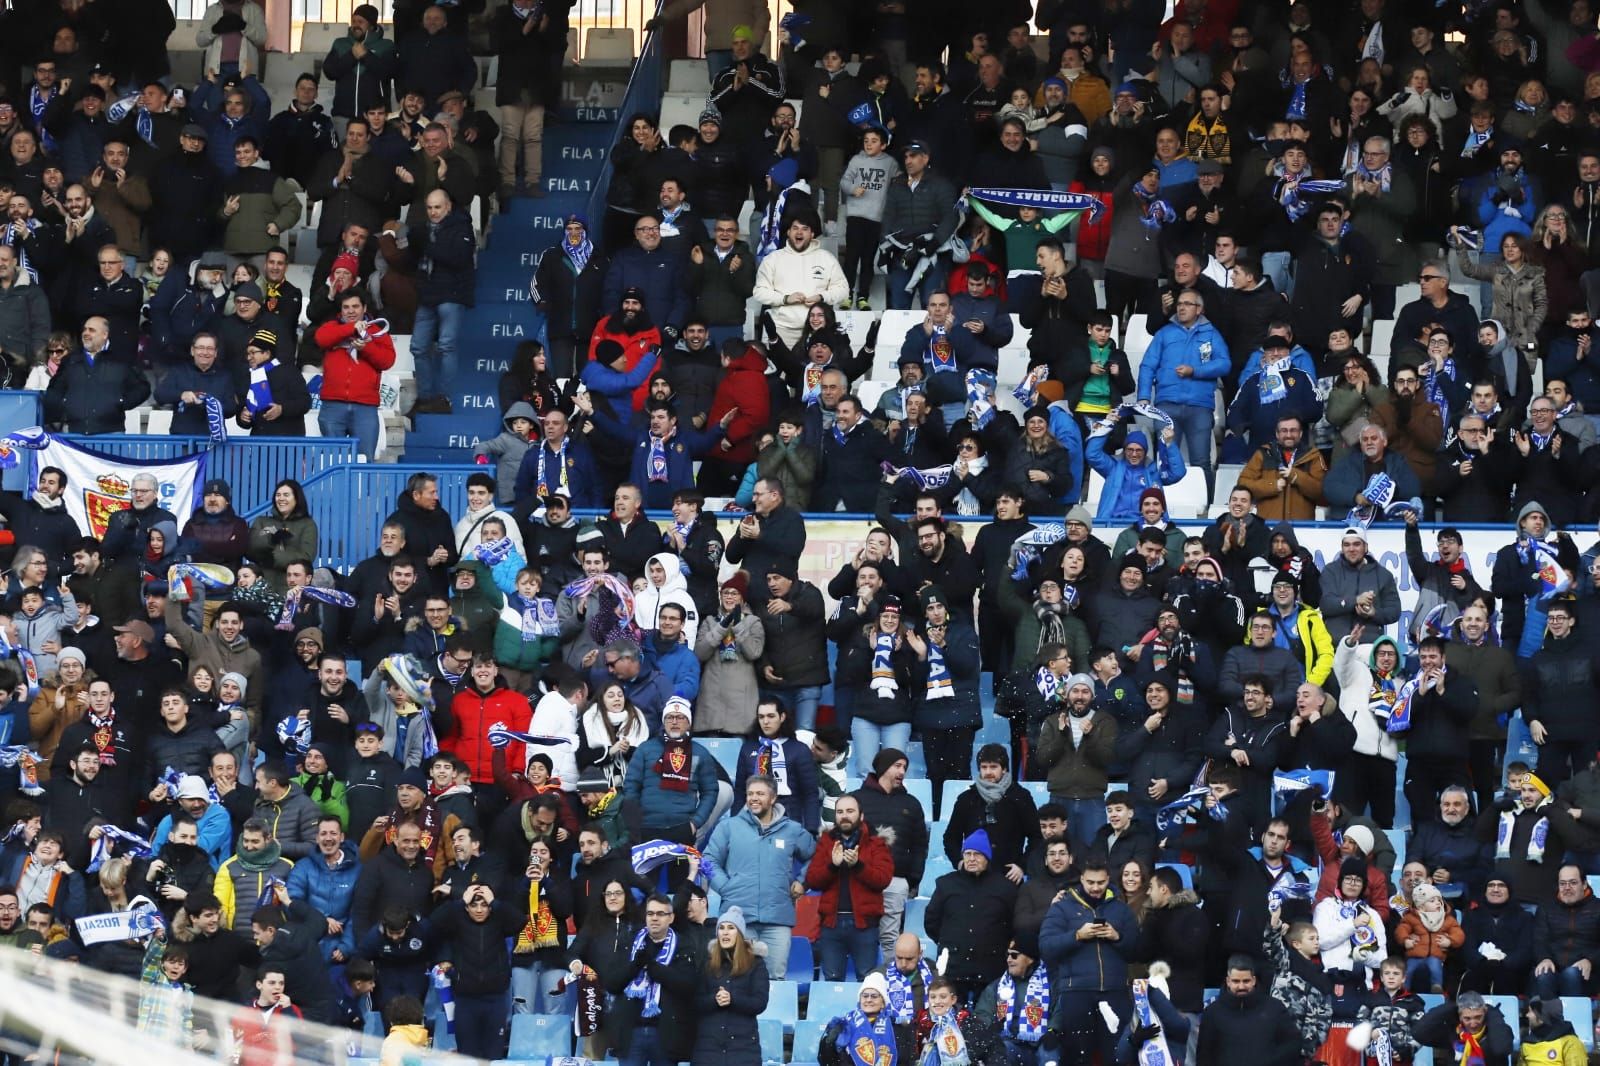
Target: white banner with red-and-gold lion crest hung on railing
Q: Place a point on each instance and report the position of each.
(100, 486)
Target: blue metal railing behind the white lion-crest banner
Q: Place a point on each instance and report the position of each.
(250, 465)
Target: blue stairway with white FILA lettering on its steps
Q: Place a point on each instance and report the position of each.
(505, 313)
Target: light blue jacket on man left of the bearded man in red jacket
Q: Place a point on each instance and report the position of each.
(756, 865)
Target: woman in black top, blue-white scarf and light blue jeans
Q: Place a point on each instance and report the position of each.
(884, 676)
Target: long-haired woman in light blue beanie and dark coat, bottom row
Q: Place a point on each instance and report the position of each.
(734, 992)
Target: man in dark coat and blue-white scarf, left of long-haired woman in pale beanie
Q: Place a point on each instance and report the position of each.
(655, 992)
